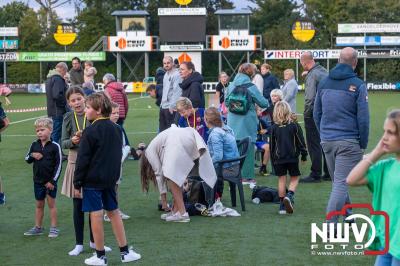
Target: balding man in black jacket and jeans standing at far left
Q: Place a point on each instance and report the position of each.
(56, 88)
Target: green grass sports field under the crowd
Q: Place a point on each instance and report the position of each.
(259, 237)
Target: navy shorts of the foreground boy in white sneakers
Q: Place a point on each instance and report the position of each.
(98, 199)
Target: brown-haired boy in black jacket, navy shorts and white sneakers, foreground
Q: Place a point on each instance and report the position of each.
(97, 170)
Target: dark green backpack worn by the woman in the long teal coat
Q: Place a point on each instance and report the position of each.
(239, 100)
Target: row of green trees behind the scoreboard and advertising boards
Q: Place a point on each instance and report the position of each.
(273, 19)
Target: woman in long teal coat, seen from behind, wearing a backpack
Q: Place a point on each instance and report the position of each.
(246, 125)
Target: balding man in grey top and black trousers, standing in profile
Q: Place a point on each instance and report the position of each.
(315, 73)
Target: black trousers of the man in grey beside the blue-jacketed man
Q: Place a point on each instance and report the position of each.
(314, 148)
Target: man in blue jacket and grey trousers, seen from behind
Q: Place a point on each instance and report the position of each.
(342, 117)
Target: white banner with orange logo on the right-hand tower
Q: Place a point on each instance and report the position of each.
(233, 42)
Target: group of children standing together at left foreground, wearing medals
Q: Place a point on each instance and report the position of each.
(92, 175)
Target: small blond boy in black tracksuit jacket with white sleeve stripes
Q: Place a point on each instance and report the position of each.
(45, 155)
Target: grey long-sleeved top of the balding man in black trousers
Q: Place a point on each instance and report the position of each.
(314, 76)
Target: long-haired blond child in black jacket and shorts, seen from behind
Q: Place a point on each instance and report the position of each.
(287, 143)
